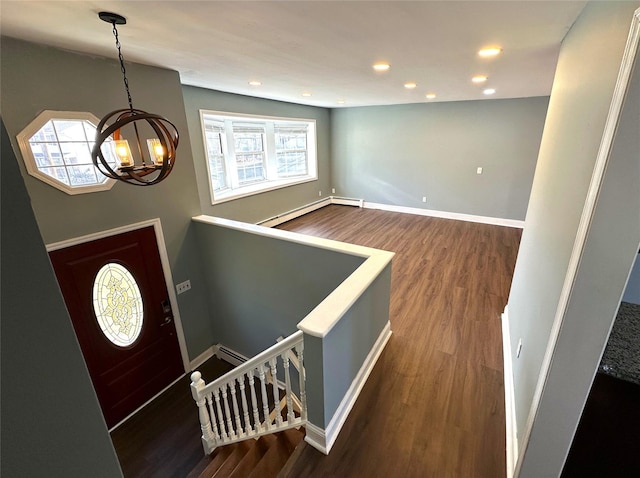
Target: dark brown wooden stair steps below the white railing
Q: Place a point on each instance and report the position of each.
(265, 457)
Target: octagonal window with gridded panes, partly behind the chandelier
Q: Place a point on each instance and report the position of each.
(63, 159)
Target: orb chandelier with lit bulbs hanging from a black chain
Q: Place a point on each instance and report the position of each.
(140, 170)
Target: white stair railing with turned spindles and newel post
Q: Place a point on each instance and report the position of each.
(225, 420)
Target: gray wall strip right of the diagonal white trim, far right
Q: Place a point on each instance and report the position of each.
(606, 262)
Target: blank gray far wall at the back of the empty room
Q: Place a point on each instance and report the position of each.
(398, 154)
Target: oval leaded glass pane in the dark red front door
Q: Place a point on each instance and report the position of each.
(118, 304)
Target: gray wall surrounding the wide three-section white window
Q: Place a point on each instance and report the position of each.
(262, 206)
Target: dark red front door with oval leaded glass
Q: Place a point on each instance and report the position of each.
(117, 297)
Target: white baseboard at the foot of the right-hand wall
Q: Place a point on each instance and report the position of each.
(509, 398)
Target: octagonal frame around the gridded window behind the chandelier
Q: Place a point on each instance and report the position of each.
(30, 163)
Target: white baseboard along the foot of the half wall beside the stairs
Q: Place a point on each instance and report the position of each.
(323, 439)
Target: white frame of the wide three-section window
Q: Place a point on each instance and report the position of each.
(263, 186)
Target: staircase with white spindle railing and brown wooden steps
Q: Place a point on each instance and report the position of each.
(251, 417)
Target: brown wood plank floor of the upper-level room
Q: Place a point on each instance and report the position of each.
(434, 403)
